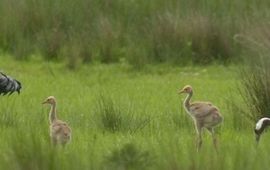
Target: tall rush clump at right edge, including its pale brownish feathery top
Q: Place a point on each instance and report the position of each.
(255, 80)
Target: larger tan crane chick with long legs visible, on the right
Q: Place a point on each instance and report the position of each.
(204, 115)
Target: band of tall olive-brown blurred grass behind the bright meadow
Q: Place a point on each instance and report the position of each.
(139, 32)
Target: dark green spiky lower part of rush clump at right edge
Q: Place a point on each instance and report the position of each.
(255, 89)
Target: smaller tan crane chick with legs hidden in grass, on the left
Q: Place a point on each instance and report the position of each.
(60, 132)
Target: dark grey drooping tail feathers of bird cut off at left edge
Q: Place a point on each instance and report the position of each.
(8, 85)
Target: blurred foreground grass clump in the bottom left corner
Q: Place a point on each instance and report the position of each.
(33, 150)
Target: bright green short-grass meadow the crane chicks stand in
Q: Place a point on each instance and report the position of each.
(123, 119)
